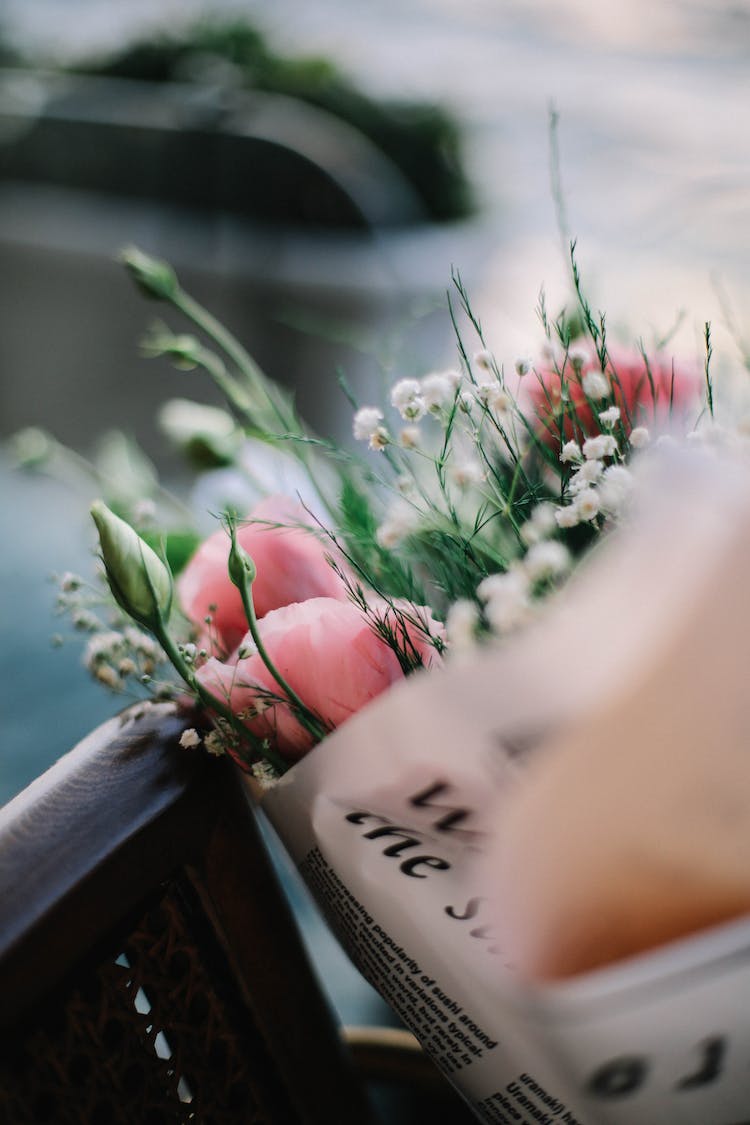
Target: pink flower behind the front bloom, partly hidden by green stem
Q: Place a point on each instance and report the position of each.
(292, 568)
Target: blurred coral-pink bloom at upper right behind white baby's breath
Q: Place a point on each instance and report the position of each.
(673, 389)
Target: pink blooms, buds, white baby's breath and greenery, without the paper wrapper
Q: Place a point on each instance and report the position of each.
(478, 494)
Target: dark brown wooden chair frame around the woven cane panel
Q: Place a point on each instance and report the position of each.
(123, 814)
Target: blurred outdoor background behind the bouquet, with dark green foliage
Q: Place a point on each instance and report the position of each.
(314, 172)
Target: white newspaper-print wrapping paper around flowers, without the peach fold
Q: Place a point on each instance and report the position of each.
(387, 820)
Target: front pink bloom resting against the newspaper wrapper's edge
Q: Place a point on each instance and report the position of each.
(328, 653)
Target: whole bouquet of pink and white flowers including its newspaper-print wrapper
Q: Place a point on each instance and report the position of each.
(392, 605)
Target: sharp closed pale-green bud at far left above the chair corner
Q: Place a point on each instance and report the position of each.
(139, 580)
